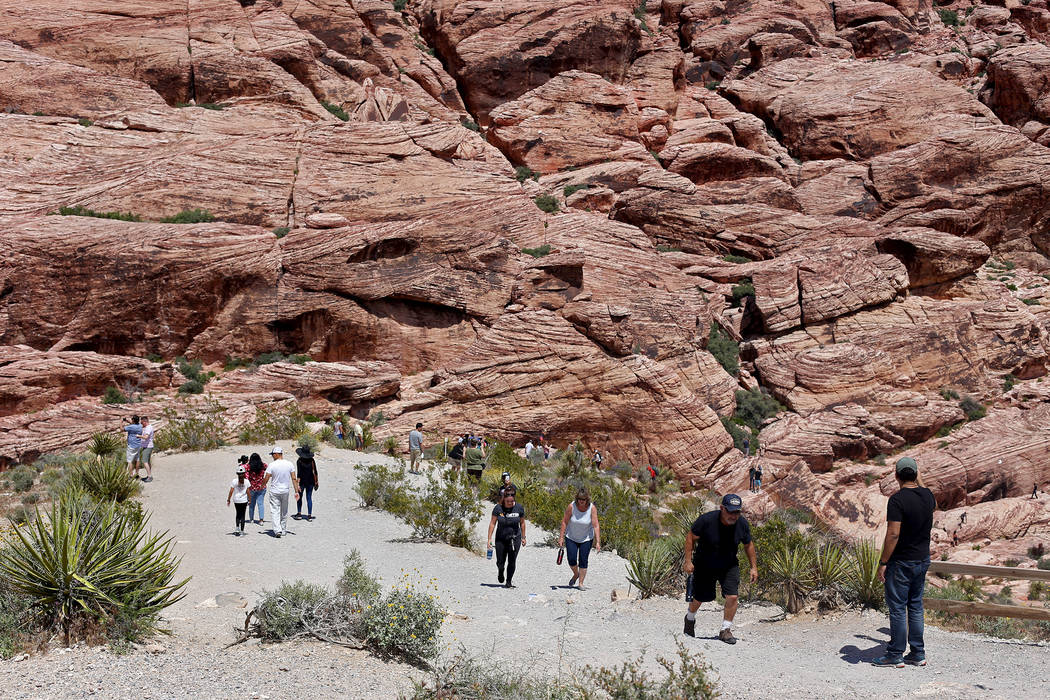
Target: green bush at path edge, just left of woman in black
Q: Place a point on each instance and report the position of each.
(448, 511)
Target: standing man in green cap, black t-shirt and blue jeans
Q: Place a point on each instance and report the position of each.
(906, 559)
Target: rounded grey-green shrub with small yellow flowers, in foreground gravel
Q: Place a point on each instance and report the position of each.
(406, 623)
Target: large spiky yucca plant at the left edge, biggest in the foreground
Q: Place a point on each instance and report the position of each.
(92, 562)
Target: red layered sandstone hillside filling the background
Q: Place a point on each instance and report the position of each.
(518, 218)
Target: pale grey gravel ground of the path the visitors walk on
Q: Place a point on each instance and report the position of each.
(541, 626)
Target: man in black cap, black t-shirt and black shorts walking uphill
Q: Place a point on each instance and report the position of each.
(717, 537)
